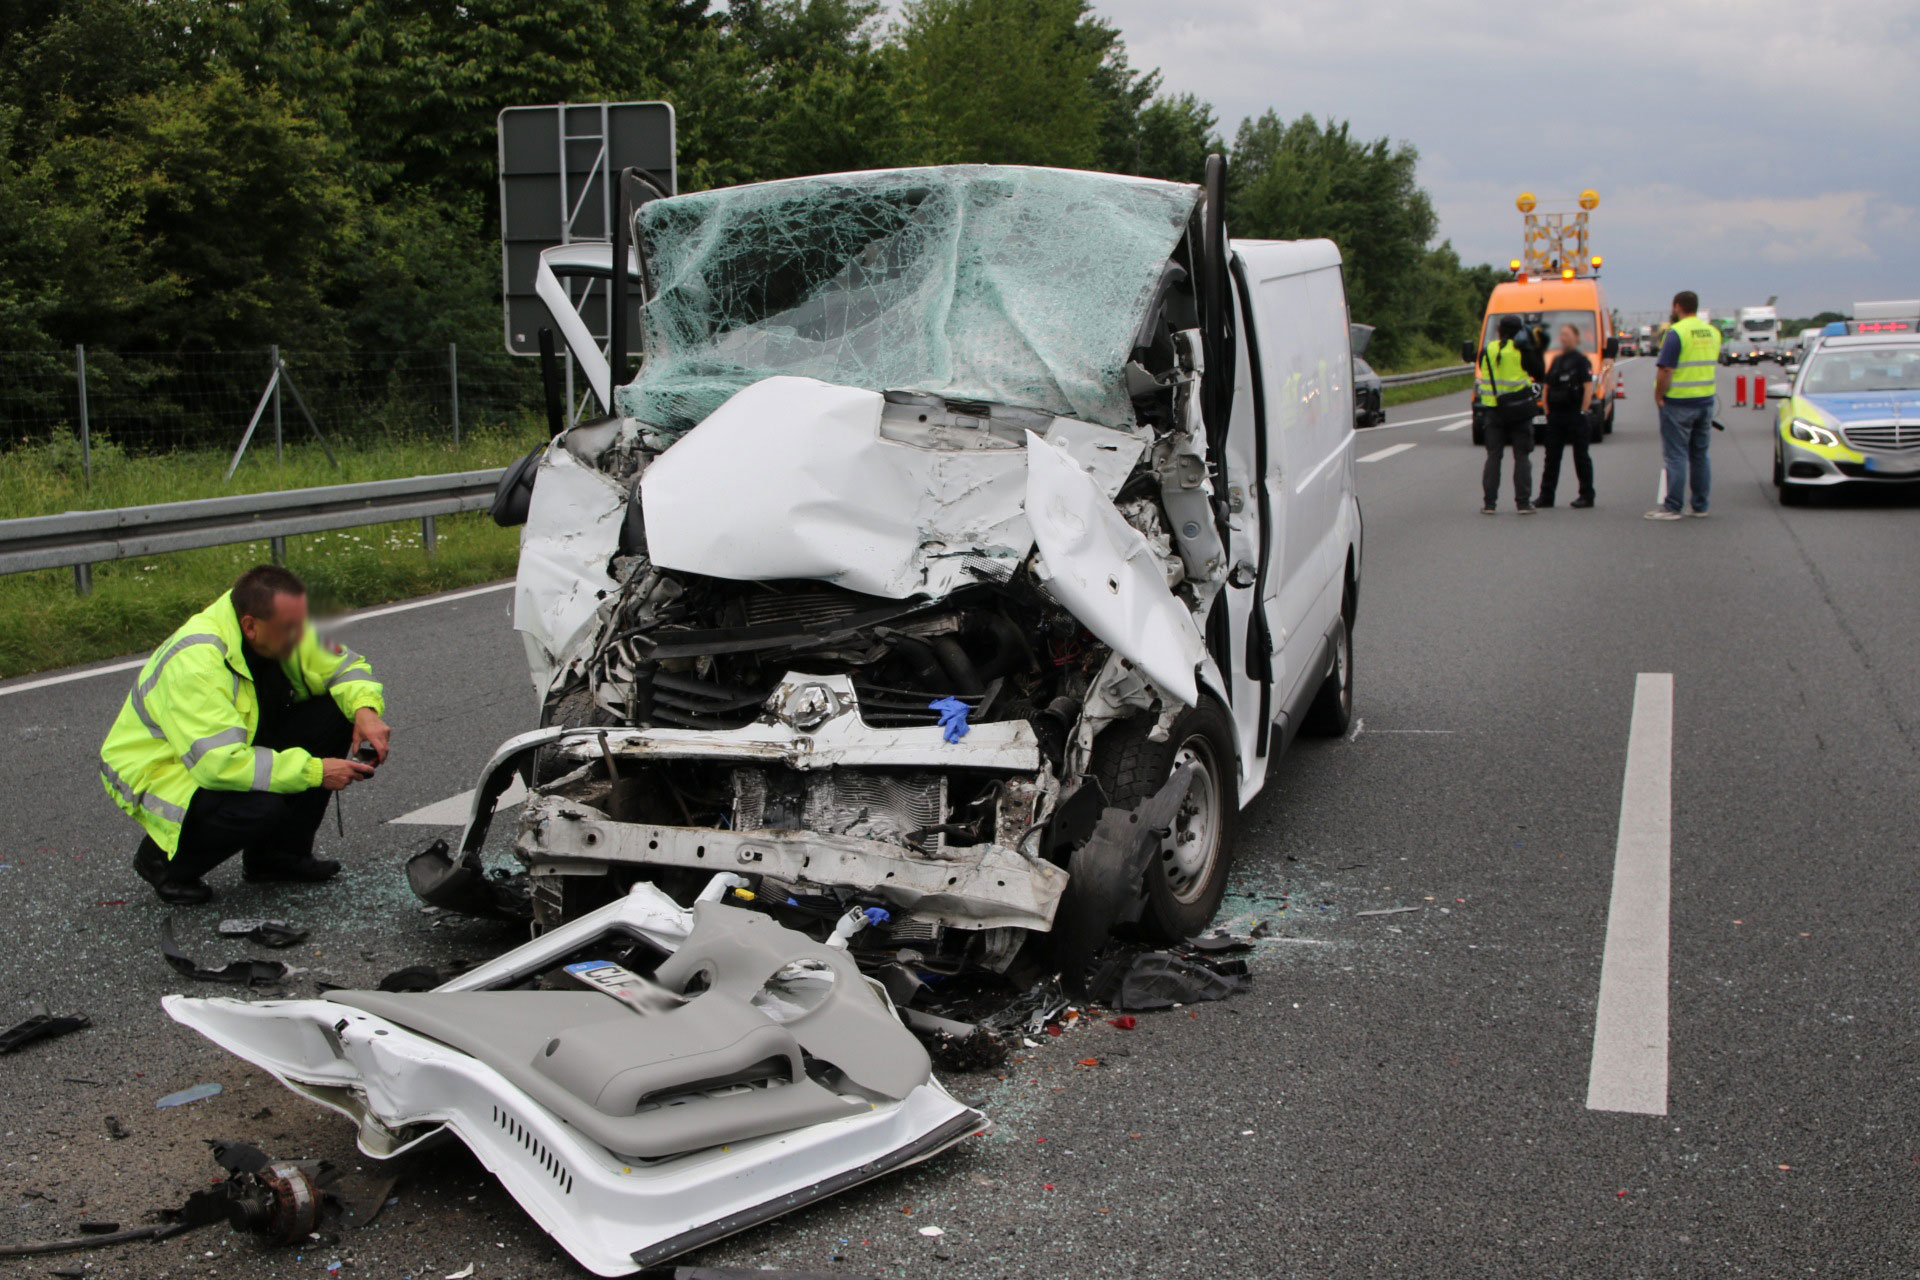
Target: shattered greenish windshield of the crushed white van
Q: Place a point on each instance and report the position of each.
(976, 283)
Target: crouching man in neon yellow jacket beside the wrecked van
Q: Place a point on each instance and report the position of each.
(235, 732)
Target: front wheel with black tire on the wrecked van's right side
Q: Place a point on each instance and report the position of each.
(1184, 884)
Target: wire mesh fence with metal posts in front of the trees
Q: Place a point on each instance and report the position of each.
(158, 402)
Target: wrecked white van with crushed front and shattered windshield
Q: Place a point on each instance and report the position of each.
(963, 554)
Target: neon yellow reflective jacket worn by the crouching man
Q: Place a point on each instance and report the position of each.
(191, 717)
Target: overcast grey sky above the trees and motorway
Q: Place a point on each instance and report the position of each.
(1740, 147)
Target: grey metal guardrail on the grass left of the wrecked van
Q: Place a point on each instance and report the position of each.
(87, 538)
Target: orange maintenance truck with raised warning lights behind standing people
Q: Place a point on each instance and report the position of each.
(1558, 283)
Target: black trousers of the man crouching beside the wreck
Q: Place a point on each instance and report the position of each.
(260, 824)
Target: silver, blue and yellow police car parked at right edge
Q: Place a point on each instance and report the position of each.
(1852, 417)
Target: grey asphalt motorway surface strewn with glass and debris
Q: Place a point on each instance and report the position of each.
(1401, 1095)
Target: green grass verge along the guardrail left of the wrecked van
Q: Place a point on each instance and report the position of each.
(137, 604)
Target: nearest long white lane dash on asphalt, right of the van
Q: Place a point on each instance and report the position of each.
(1629, 1070)
